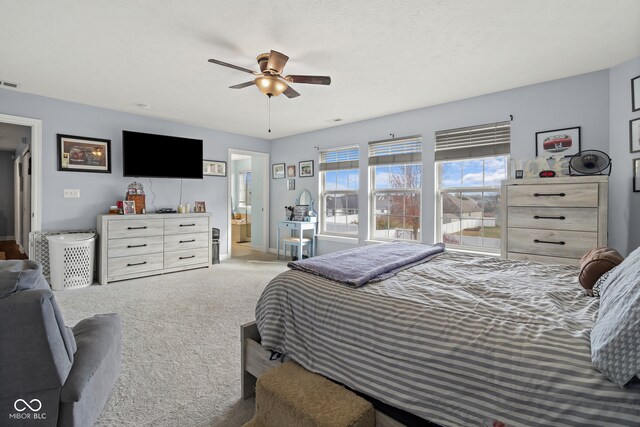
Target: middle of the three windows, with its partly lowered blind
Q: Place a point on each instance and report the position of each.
(395, 166)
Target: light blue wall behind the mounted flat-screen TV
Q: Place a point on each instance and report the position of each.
(98, 191)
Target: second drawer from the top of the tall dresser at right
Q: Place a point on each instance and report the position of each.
(571, 219)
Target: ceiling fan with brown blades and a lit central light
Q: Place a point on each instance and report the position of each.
(270, 80)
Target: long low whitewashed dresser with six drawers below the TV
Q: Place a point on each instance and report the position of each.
(132, 246)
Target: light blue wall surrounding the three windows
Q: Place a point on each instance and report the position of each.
(576, 101)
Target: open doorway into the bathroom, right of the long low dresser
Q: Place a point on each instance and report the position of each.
(248, 231)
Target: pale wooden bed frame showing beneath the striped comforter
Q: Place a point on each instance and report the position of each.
(255, 362)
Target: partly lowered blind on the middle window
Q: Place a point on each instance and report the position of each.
(396, 151)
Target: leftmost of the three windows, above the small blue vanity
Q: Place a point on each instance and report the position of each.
(339, 186)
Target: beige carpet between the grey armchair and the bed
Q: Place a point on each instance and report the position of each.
(181, 342)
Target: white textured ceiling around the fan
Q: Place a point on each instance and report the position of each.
(383, 56)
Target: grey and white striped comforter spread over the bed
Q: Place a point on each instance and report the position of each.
(460, 340)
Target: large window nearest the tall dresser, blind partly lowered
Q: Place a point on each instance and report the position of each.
(470, 163)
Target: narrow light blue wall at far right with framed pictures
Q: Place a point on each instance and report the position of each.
(624, 204)
